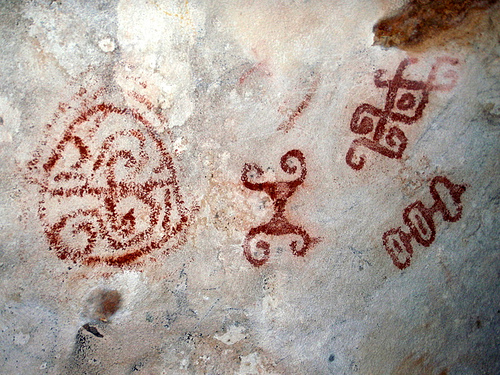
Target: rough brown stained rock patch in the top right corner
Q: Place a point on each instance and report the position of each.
(424, 22)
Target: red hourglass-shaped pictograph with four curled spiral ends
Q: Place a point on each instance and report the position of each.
(255, 246)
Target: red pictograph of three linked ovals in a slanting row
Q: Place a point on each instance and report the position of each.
(420, 221)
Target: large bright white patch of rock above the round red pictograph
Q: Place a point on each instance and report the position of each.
(151, 33)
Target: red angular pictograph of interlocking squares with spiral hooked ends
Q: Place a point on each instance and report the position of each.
(379, 125)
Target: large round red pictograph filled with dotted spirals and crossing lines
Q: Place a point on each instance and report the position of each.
(109, 189)
